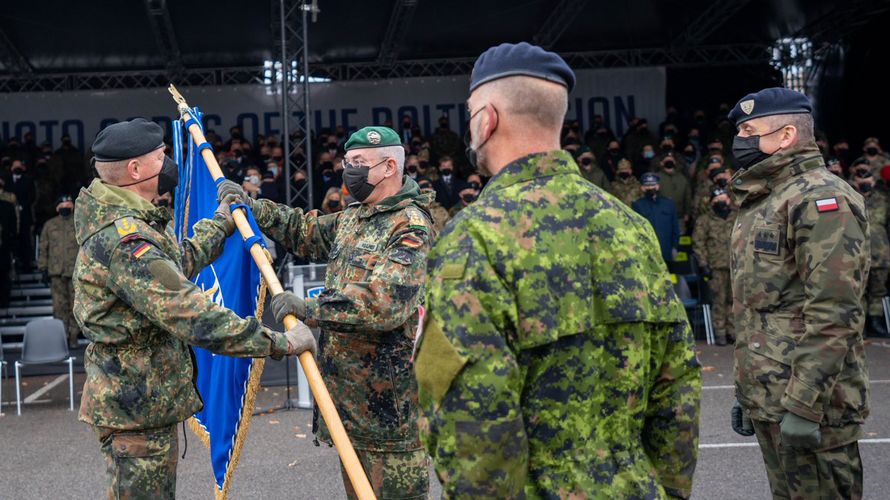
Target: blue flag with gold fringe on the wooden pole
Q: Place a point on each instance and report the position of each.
(226, 384)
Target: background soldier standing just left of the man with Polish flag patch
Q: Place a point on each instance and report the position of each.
(710, 241)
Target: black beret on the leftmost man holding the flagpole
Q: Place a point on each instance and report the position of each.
(125, 140)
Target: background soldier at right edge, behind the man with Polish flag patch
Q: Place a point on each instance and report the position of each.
(876, 206)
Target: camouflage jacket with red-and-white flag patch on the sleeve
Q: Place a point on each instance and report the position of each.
(799, 265)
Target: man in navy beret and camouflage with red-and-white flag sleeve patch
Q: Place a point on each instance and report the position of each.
(800, 260)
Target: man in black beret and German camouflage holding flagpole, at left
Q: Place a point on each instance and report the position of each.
(134, 301)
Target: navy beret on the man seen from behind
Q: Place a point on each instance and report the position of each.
(521, 59)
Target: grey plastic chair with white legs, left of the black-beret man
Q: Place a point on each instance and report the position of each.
(45, 342)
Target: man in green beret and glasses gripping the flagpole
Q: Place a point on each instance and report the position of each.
(376, 252)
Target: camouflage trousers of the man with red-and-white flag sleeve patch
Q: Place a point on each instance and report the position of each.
(809, 475)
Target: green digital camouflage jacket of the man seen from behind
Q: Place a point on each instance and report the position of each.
(556, 356)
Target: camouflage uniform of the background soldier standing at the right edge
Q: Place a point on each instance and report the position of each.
(876, 207)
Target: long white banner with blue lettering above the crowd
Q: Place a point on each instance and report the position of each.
(616, 94)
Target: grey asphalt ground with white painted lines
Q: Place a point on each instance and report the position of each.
(47, 453)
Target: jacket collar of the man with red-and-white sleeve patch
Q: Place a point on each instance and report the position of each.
(758, 180)
